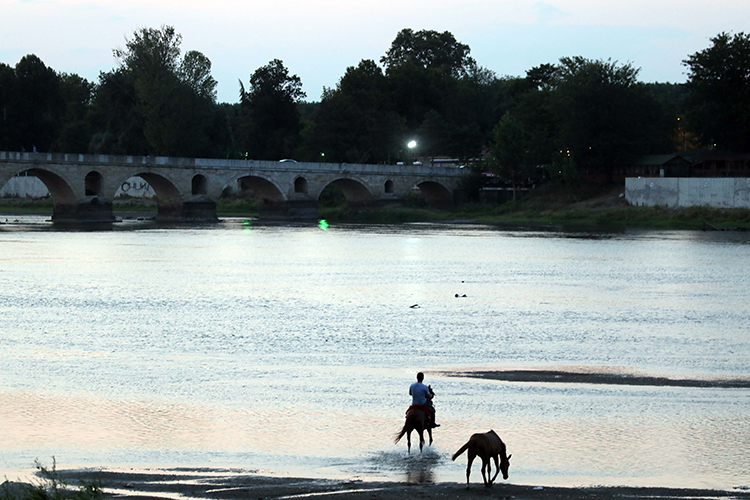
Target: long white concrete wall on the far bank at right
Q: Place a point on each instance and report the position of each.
(675, 192)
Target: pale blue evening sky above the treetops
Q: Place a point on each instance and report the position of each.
(318, 39)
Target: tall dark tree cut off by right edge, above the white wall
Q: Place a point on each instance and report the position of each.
(719, 92)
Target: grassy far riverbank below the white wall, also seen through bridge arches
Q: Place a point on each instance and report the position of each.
(551, 207)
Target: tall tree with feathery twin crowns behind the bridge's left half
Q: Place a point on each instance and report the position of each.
(173, 97)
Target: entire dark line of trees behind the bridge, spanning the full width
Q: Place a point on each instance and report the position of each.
(576, 116)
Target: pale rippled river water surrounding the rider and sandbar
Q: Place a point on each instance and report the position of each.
(288, 350)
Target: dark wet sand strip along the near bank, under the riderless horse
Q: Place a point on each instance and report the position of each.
(229, 485)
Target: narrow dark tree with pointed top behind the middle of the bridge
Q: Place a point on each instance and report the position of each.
(270, 124)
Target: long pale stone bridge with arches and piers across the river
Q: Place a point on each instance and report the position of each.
(82, 187)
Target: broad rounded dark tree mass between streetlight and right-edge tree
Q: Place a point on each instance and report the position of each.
(579, 117)
